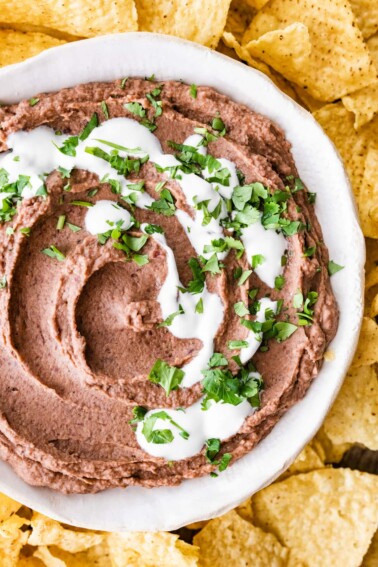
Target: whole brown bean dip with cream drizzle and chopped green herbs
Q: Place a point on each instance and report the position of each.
(164, 267)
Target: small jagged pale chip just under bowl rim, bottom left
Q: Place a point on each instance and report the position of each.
(49, 532)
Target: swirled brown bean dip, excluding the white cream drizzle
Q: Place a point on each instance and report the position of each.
(81, 325)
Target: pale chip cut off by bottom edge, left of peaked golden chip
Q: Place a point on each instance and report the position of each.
(148, 549)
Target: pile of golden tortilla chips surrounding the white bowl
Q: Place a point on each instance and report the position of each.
(323, 54)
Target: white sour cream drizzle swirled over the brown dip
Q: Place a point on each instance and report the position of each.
(37, 155)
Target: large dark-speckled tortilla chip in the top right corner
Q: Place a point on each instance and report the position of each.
(339, 62)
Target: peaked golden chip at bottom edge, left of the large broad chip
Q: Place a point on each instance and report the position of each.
(231, 541)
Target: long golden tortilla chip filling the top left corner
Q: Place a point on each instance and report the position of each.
(79, 18)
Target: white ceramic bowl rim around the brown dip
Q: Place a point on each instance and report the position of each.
(142, 54)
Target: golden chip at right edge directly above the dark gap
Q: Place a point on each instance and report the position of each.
(353, 417)
